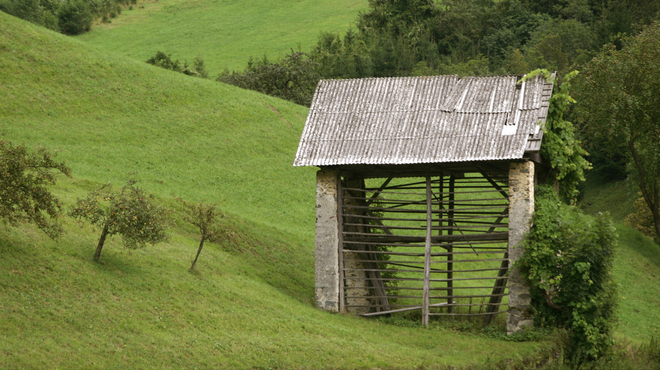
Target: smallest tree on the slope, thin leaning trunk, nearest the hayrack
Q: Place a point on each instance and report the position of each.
(206, 218)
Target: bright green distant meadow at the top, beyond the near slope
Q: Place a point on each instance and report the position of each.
(224, 33)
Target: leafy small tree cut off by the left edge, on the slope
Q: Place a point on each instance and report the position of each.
(24, 196)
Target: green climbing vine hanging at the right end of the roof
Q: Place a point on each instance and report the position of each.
(560, 146)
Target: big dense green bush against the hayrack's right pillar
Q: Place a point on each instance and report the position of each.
(568, 263)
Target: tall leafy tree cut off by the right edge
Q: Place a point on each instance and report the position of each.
(620, 96)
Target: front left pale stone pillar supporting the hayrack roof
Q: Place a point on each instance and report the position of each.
(326, 254)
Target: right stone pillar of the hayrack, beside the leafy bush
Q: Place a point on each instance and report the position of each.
(521, 208)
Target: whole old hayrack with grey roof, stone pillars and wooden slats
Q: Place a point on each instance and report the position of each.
(425, 189)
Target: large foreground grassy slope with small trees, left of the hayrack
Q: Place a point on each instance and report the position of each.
(251, 303)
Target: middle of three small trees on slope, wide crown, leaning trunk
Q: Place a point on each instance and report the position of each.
(130, 214)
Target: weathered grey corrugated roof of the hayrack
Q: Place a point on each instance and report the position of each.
(410, 120)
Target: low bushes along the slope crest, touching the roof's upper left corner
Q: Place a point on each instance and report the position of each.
(294, 78)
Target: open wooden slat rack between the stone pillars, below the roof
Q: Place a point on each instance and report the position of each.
(442, 237)
